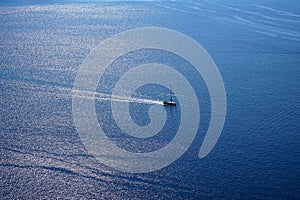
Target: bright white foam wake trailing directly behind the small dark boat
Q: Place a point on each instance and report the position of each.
(109, 97)
